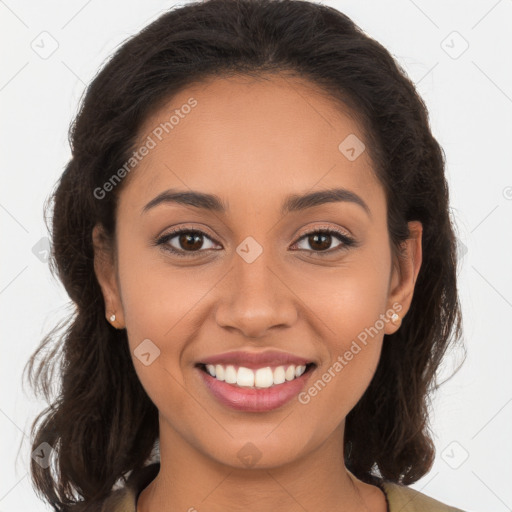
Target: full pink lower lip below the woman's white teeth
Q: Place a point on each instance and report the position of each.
(254, 399)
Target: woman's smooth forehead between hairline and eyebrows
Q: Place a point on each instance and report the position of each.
(265, 135)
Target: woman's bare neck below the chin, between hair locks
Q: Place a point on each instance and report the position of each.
(191, 481)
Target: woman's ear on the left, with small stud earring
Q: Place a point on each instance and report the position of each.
(106, 273)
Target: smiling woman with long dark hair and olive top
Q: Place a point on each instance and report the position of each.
(254, 227)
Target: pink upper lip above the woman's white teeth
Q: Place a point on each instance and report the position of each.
(256, 359)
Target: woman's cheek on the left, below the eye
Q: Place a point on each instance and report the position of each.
(155, 307)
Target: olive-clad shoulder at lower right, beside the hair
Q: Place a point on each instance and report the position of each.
(406, 499)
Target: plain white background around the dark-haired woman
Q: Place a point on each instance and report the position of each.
(470, 102)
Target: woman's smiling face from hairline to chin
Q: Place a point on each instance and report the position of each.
(315, 281)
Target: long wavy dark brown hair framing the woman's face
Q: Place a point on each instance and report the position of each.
(101, 424)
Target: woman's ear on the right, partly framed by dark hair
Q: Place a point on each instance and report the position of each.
(405, 272)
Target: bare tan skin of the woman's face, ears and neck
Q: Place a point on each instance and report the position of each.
(253, 142)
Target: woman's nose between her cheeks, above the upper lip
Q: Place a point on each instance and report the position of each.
(255, 298)
